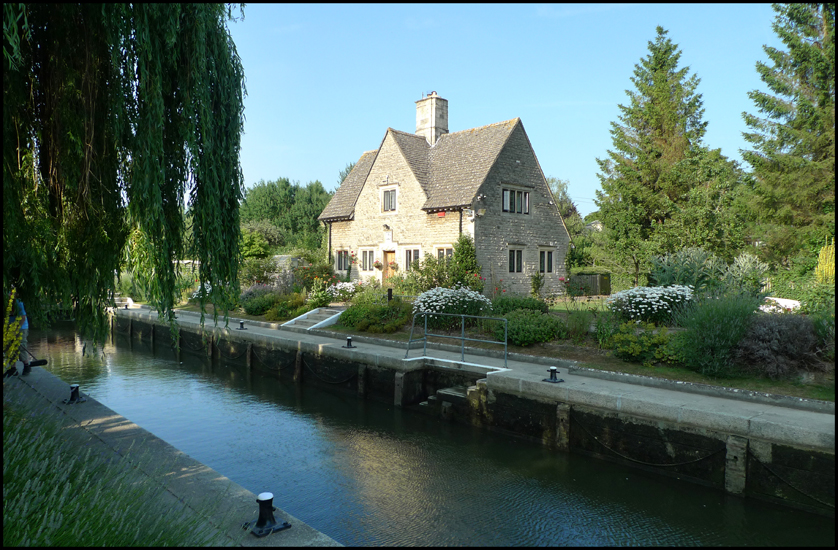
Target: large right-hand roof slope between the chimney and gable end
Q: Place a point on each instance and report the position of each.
(461, 161)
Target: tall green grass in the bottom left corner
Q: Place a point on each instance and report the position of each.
(59, 490)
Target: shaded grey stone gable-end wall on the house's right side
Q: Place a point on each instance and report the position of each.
(542, 229)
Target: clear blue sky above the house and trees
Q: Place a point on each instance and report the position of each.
(324, 82)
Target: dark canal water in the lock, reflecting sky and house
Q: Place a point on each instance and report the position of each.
(366, 473)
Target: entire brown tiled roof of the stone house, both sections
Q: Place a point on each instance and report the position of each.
(450, 172)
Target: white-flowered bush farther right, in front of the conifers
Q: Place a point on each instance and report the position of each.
(649, 304)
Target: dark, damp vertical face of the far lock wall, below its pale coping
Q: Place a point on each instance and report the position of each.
(800, 476)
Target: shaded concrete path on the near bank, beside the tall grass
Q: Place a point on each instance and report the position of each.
(185, 480)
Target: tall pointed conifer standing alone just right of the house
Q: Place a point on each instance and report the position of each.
(642, 179)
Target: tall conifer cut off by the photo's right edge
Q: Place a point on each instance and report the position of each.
(793, 140)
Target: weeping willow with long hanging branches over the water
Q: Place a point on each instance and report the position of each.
(116, 119)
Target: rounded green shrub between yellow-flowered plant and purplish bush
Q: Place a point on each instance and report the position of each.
(715, 325)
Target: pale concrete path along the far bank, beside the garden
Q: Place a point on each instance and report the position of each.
(779, 419)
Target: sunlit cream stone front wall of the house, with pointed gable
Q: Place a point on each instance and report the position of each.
(410, 228)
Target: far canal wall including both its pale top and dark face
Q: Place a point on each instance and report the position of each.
(779, 454)
